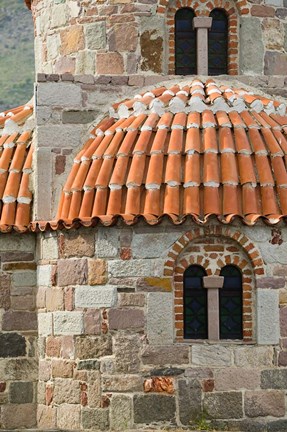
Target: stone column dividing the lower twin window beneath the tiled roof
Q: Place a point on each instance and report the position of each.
(213, 284)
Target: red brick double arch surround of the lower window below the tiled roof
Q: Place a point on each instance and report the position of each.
(176, 265)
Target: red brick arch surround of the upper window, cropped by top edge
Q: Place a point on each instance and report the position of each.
(204, 9)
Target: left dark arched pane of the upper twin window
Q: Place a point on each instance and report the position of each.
(185, 42)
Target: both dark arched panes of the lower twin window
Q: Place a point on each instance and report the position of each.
(196, 305)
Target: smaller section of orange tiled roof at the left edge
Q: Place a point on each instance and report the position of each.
(15, 168)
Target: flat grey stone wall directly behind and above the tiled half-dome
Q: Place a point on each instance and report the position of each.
(66, 105)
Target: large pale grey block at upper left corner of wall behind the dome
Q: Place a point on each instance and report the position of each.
(61, 94)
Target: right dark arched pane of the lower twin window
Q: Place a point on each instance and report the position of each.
(230, 304)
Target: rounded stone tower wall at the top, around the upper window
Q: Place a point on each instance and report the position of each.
(125, 37)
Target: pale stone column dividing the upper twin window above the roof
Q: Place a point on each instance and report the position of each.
(202, 25)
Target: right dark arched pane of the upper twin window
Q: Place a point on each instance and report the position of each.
(218, 43)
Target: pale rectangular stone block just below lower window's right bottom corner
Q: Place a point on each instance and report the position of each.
(253, 356)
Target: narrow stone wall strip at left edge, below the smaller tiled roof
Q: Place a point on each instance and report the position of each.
(18, 332)
